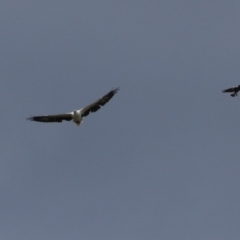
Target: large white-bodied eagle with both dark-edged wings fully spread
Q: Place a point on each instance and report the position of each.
(76, 115)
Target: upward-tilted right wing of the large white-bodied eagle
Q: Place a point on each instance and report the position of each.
(99, 103)
